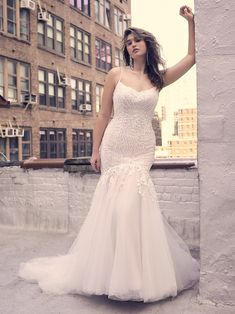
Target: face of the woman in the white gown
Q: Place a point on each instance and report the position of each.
(135, 46)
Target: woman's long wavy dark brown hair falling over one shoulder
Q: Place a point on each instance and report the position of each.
(153, 57)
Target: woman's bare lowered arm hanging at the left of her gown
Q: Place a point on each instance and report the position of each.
(103, 116)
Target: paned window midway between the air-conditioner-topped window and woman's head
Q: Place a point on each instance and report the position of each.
(80, 43)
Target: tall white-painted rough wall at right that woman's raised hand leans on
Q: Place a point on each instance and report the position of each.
(215, 31)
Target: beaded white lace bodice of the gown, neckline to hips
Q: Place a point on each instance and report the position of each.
(129, 135)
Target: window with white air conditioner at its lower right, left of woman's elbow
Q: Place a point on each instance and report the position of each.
(81, 93)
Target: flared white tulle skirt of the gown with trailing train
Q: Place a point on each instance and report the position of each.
(125, 248)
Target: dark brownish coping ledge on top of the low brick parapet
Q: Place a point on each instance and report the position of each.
(82, 164)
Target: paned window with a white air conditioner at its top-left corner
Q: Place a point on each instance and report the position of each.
(51, 35)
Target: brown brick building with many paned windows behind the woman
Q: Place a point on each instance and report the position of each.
(54, 56)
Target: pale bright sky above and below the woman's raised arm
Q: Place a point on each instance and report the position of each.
(161, 17)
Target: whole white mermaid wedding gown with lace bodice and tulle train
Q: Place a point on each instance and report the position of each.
(125, 248)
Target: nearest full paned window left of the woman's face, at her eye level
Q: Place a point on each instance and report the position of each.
(103, 55)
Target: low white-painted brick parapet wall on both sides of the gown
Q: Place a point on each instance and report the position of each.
(54, 200)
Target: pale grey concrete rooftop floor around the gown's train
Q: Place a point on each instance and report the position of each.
(20, 297)
